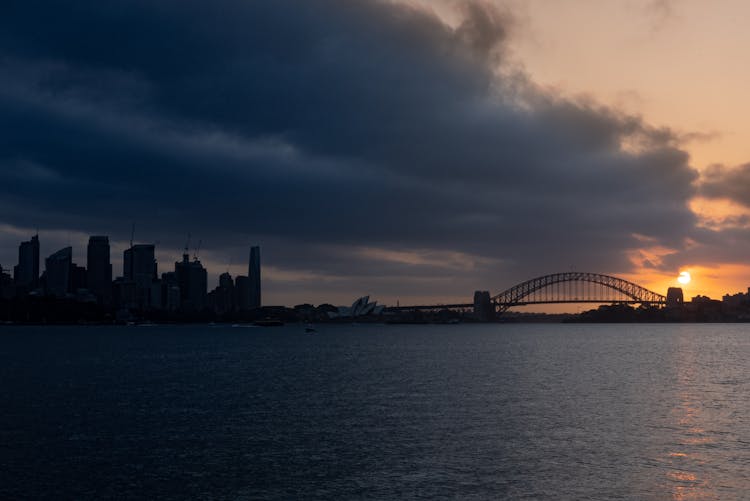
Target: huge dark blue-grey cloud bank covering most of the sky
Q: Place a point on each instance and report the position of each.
(309, 126)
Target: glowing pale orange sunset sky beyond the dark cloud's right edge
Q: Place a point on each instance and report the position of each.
(679, 65)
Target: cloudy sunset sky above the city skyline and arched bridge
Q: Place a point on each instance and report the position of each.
(411, 150)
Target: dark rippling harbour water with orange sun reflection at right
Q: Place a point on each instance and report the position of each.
(483, 411)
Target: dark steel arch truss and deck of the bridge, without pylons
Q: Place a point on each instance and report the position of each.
(515, 295)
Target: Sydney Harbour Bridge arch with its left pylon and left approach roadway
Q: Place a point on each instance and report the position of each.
(569, 287)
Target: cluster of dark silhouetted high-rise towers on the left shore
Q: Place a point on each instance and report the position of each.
(139, 289)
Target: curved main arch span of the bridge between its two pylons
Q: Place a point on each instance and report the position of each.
(526, 292)
